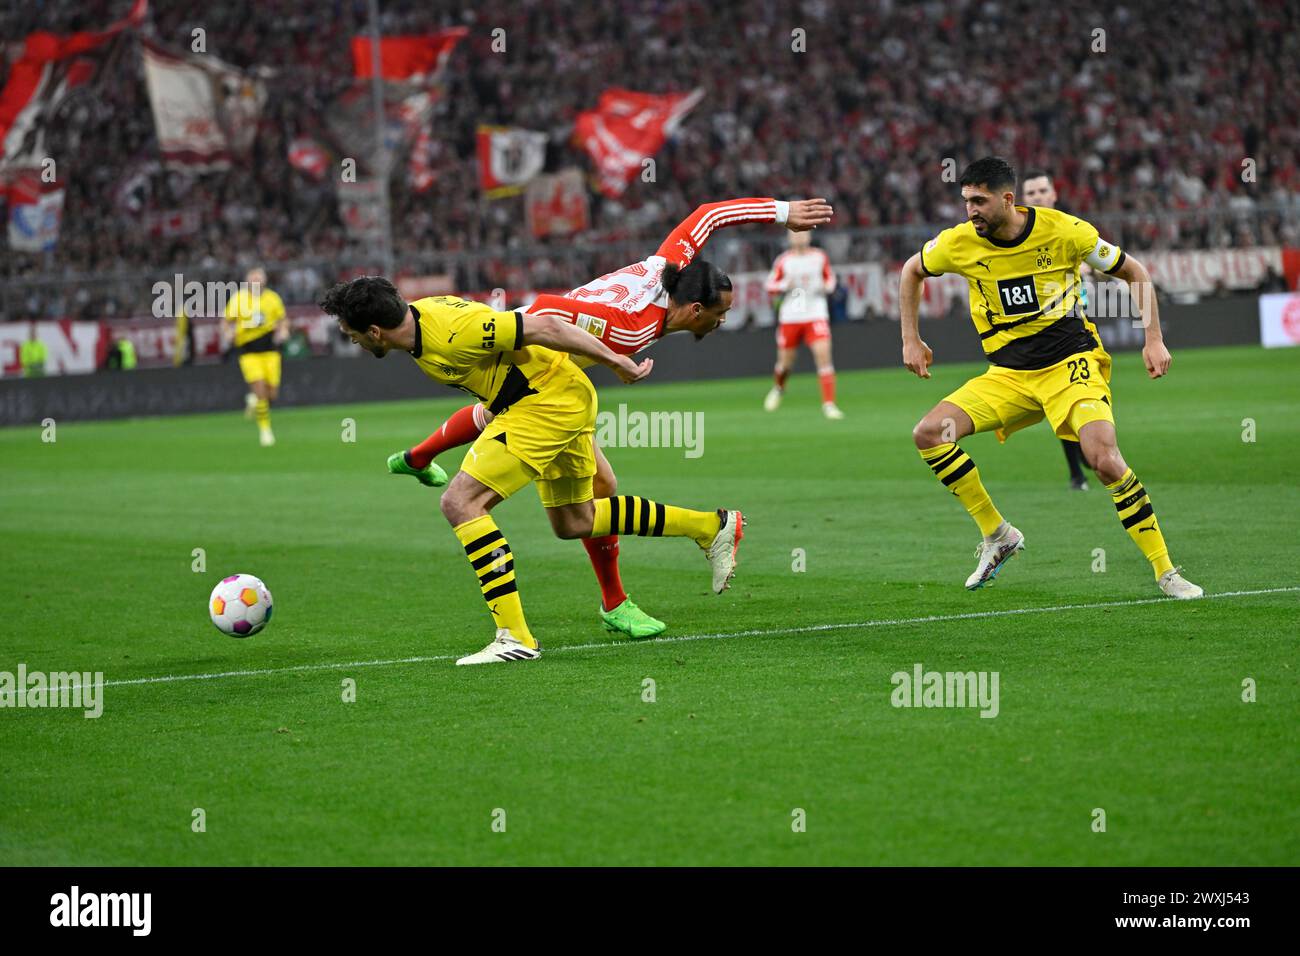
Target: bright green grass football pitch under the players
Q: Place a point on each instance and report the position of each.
(1132, 708)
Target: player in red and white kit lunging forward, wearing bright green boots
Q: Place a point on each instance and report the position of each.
(629, 310)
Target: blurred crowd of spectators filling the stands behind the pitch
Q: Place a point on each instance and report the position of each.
(1156, 122)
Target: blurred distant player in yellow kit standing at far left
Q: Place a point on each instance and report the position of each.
(258, 315)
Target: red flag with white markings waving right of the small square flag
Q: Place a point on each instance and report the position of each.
(629, 128)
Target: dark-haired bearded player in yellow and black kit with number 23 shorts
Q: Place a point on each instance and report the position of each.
(1022, 265)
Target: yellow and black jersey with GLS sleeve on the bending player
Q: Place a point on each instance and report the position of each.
(474, 348)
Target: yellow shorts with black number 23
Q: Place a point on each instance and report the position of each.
(1068, 395)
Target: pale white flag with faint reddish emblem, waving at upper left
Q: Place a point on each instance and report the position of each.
(206, 113)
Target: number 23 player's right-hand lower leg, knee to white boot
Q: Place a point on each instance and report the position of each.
(1133, 505)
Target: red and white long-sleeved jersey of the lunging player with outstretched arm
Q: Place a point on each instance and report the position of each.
(627, 309)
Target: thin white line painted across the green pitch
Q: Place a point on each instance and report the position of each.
(764, 633)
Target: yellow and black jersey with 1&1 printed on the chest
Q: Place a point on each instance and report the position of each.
(1025, 293)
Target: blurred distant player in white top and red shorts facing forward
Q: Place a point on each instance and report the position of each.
(800, 283)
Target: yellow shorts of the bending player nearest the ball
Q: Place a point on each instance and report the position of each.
(545, 438)
